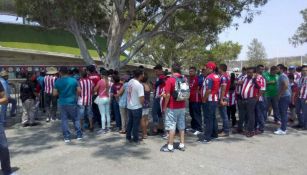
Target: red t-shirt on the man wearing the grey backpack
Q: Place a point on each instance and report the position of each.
(169, 89)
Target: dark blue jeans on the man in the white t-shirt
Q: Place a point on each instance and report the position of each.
(134, 118)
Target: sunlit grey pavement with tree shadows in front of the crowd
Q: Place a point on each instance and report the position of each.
(40, 150)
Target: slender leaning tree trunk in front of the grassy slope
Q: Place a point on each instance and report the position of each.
(74, 29)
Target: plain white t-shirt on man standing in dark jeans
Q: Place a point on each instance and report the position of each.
(135, 91)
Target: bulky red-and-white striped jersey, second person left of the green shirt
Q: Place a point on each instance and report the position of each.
(250, 88)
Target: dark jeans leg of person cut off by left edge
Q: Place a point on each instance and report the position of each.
(4, 152)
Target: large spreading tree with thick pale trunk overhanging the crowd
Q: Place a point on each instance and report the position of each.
(129, 25)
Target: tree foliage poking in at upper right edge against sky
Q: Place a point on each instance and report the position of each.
(300, 36)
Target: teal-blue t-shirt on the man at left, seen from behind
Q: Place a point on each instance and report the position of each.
(67, 88)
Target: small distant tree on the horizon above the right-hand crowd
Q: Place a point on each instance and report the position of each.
(256, 53)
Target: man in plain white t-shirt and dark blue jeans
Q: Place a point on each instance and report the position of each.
(135, 101)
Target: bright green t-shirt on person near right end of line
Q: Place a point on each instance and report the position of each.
(271, 85)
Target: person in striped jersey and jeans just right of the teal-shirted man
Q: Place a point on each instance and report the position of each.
(85, 100)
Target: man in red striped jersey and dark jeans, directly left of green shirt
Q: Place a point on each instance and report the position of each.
(260, 106)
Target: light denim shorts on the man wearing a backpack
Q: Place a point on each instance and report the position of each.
(173, 118)
